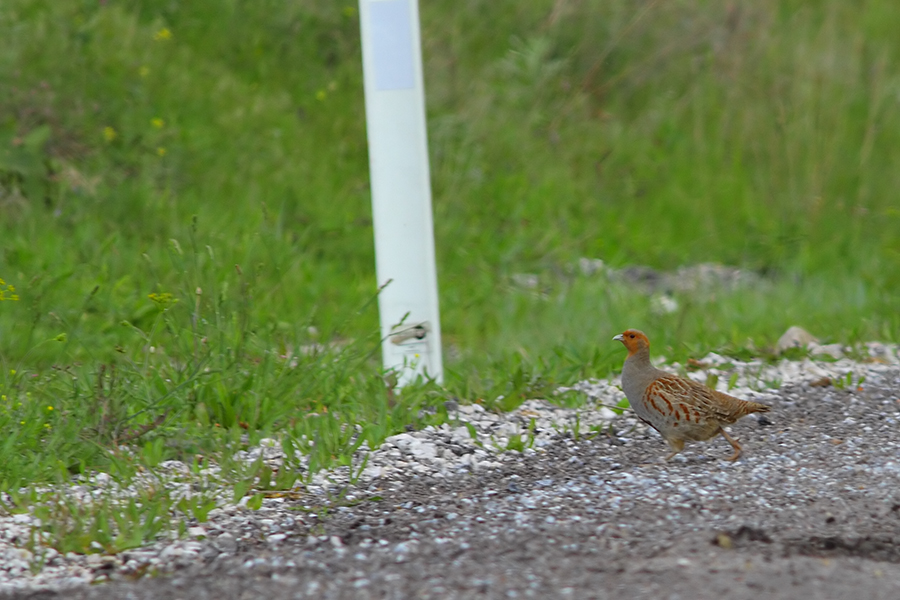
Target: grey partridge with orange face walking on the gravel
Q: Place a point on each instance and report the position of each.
(679, 409)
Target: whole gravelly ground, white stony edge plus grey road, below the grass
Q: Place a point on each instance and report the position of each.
(584, 510)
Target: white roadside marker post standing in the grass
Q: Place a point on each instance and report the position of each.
(401, 188)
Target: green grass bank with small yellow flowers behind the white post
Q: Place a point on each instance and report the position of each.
(186, 222)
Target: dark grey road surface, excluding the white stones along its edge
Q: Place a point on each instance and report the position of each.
(811, 511)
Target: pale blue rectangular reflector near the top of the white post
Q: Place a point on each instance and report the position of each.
(391, 35)
